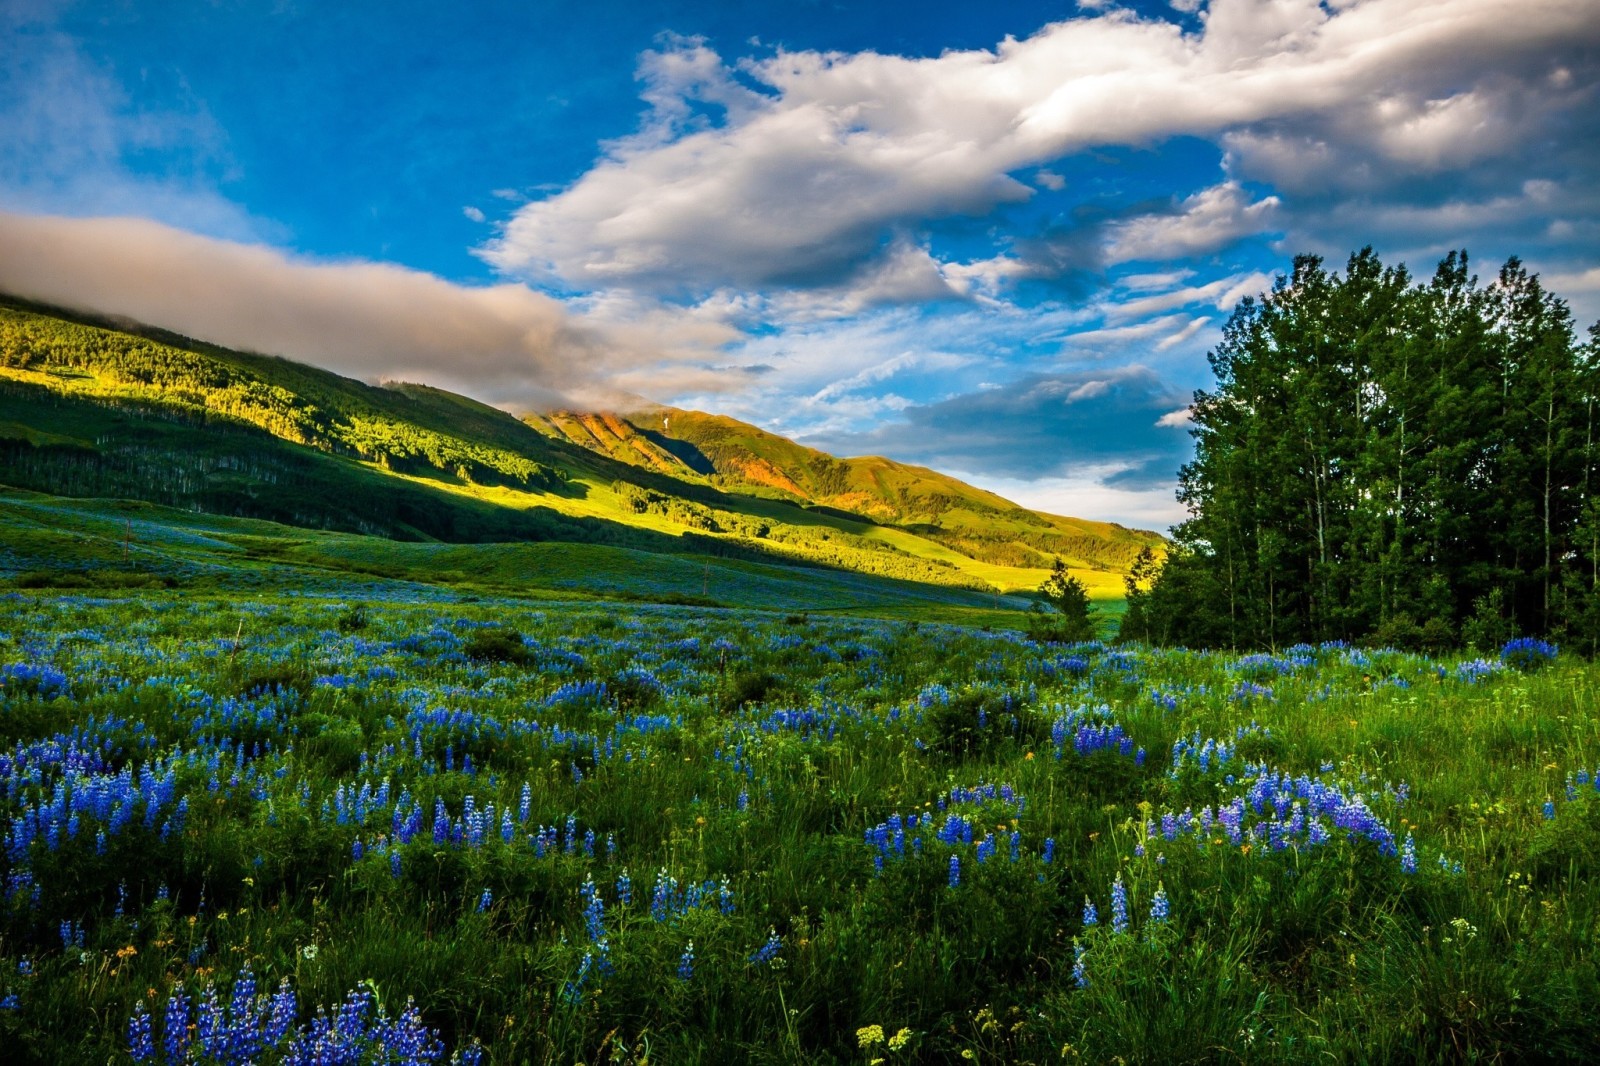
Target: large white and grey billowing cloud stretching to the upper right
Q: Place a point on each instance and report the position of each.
(799, 169)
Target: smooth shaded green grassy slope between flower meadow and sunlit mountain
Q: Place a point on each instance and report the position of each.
(44, 535)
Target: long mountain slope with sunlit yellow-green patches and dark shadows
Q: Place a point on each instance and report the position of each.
(105, 409)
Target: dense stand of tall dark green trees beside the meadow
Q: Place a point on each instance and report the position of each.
(1390, 460)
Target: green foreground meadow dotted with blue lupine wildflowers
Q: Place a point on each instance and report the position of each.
(425, 827)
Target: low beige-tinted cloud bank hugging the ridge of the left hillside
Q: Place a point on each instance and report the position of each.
(503, 343)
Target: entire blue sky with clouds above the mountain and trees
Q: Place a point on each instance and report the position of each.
(996, 239)
